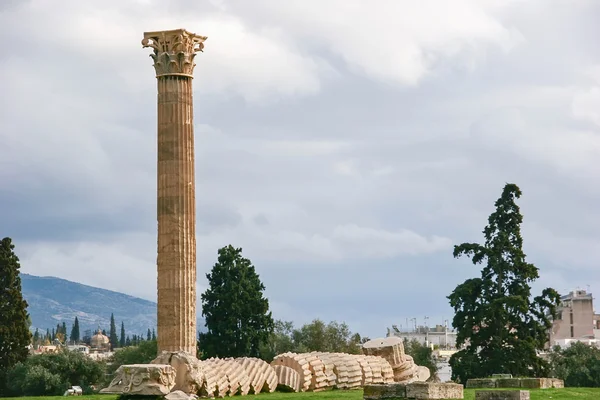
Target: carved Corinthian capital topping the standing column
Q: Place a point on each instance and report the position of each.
(174, 51)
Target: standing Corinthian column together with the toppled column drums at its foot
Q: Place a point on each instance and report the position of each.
(176, 370)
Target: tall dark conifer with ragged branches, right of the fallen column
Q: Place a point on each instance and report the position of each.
(501, 327)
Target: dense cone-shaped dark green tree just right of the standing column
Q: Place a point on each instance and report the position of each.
(236, 312)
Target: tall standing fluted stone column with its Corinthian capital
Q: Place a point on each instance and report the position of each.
(173, 55)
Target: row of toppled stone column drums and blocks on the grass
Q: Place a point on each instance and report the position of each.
(315, 371)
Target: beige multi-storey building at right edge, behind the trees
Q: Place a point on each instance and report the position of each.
(575, 320)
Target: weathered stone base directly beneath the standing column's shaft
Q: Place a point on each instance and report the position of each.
(189, 376)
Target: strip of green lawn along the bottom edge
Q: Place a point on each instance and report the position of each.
(554, 394)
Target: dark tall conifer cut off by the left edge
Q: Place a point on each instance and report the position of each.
(14, 331)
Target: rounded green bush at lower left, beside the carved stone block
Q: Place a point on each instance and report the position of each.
(52, 374)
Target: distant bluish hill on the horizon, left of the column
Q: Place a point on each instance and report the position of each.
(53, 300)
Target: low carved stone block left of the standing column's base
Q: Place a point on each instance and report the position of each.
(142, 379)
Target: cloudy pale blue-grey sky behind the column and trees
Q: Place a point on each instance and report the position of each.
(346, 146)
